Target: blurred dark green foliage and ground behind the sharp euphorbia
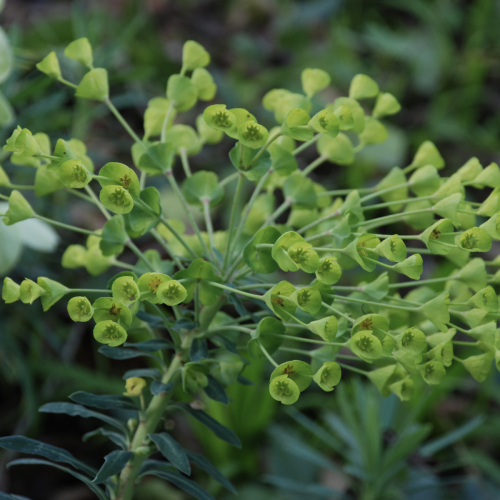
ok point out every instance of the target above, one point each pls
(440, 58)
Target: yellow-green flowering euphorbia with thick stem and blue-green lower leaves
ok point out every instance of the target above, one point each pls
(394, 339)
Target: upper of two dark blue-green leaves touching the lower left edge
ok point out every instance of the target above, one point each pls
(22, 444)
